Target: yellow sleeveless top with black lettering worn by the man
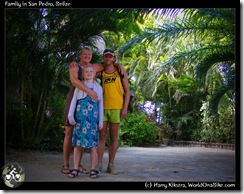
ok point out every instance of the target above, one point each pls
(112, 90)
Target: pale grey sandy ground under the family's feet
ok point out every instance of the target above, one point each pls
(136, 166)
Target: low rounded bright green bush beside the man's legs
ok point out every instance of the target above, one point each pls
(136, 129)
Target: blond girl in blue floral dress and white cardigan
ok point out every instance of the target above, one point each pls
(86, 116)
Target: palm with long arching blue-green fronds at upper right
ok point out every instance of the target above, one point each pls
(201, 39)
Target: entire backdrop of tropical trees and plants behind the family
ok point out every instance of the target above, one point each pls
(181, 65)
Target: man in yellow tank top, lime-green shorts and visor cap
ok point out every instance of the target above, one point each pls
(116, 97)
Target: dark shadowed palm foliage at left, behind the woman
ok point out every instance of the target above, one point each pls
(39, 44)
